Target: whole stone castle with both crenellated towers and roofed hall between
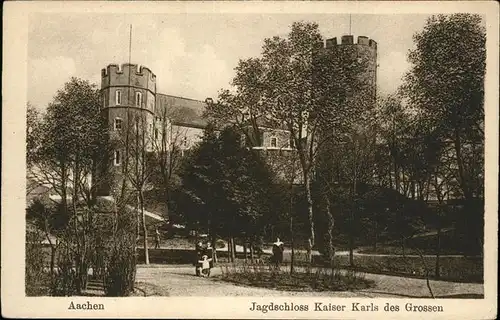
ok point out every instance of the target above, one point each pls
(130, 100)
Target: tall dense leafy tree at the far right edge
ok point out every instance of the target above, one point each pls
(446, 88)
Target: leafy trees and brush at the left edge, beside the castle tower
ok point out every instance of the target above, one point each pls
(65, 147)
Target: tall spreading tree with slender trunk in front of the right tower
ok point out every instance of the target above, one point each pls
(299, 87)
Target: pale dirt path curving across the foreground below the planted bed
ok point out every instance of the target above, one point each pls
(181, 281)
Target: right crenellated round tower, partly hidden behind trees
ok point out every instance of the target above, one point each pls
(349, 71)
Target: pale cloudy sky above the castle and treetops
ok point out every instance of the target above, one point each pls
(192, 55)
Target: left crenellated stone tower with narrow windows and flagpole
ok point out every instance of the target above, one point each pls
(128, 104)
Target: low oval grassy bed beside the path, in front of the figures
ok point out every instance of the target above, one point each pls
(303, 279)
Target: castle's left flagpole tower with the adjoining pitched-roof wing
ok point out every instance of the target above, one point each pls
(137, 114)
